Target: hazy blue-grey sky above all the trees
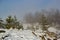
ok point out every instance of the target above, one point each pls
(21, 7)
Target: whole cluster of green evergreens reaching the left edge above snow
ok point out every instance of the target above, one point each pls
(10, 22)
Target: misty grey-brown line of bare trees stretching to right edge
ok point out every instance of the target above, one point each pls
(44, 17)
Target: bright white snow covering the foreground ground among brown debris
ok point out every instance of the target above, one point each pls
(14, 34)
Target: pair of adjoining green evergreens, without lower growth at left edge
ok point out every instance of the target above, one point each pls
(12, 22)
